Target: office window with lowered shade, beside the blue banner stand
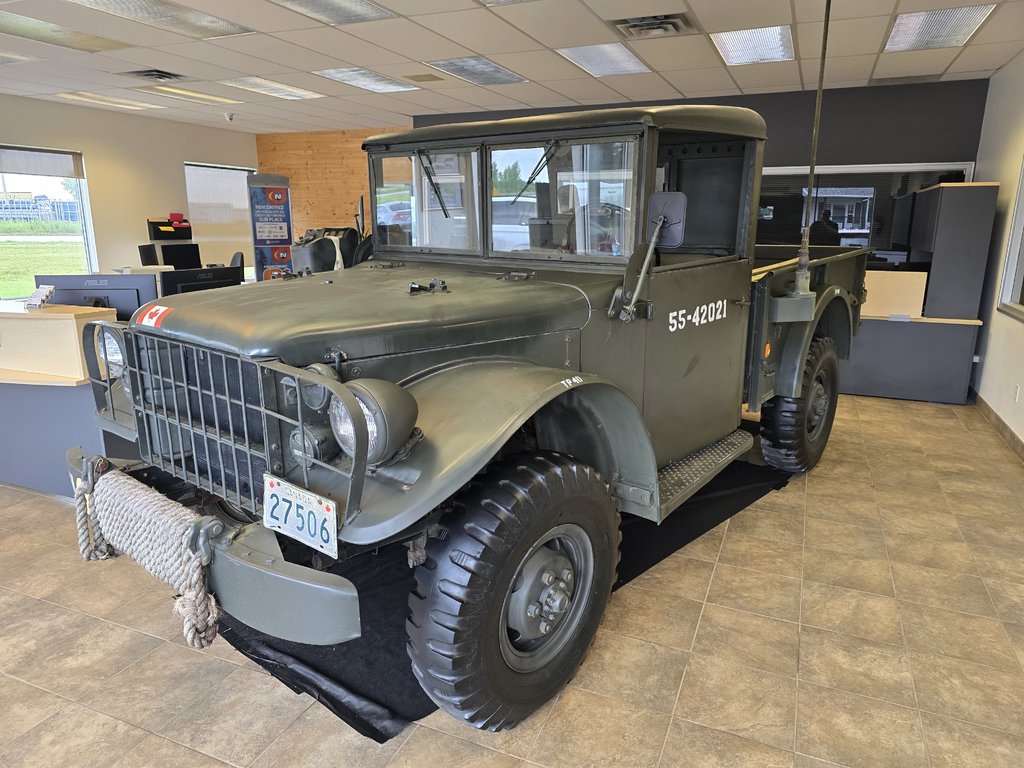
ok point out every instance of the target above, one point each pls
(219, 210)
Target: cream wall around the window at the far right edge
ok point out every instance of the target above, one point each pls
(1000, 157)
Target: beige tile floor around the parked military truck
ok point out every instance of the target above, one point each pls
(870, 615)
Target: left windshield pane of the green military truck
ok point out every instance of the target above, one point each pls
(430, 200)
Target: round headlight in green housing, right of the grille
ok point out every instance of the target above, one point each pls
(391, 413)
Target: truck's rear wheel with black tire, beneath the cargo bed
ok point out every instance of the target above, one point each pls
(795, 431)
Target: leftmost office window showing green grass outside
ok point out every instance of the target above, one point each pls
(45, 218)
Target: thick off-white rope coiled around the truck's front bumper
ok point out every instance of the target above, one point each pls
(118, 515)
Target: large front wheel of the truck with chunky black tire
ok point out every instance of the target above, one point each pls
(507, 605)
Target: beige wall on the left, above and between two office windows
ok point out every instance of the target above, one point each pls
(134, 164)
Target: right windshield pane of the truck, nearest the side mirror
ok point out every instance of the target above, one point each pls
(565, 198)
